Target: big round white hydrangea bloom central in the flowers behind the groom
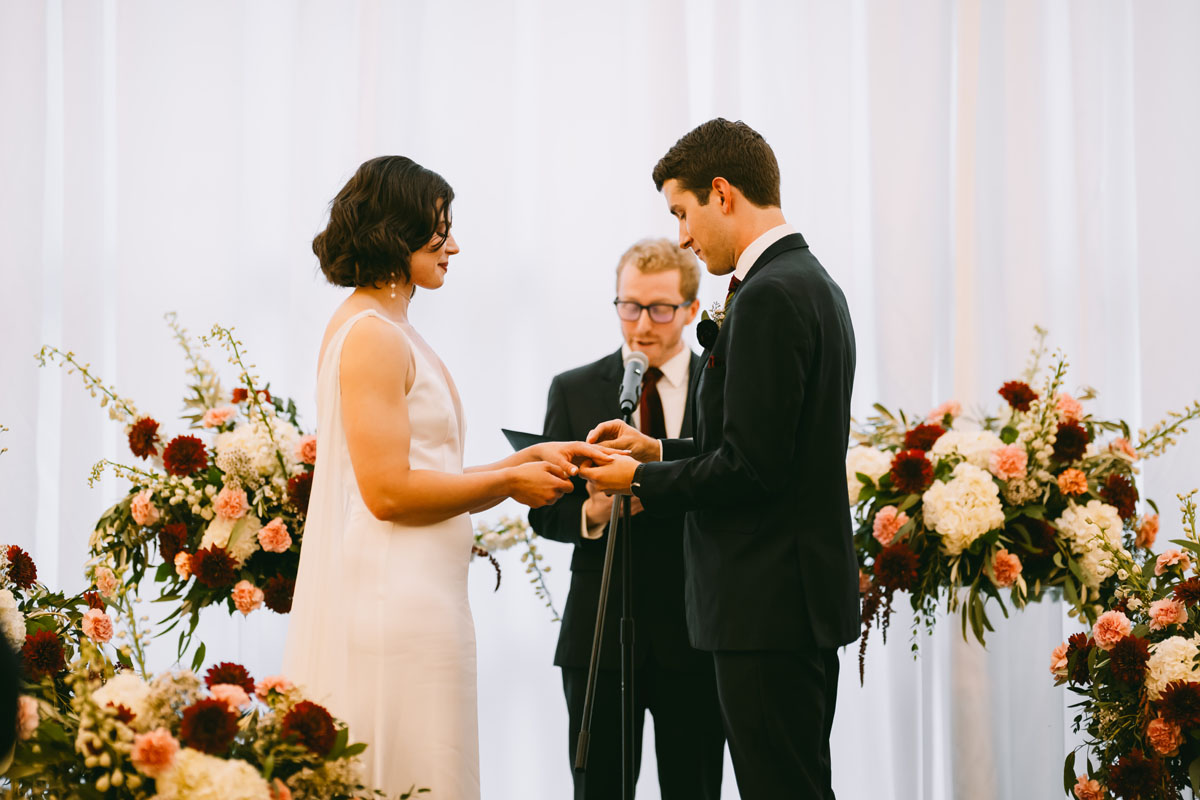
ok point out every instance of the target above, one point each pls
(964, 509)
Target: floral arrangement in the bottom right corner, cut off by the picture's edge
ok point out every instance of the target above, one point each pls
(1137, 673)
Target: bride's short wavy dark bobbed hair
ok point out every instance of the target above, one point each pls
(391, 209)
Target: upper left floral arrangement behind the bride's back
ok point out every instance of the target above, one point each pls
(215, 515)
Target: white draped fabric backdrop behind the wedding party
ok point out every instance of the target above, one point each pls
(965, 170)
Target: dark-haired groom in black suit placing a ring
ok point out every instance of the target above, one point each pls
(772, 581)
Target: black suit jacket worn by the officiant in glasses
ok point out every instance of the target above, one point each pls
(580, 400)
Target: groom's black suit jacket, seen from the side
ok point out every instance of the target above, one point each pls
(769, 551)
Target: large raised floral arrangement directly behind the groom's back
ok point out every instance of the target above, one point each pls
(1039, 497)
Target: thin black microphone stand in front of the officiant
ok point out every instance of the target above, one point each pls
(621, 520)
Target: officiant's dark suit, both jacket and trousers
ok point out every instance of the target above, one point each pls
(673, 681)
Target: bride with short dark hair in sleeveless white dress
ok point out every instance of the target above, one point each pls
(381, 627)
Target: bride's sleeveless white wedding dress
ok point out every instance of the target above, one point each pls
(381, 628)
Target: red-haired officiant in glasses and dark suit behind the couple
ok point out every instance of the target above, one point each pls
(657, 285)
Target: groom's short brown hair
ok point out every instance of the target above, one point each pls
(723, 149)
